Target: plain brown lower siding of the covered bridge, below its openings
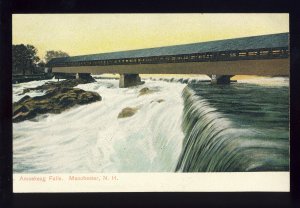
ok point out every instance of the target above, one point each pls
(274, 67)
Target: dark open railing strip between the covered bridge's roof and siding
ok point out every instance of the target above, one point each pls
(263, 53)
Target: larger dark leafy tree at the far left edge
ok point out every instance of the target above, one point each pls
(24, 58)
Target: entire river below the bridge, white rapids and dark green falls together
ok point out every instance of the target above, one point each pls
(197, 128)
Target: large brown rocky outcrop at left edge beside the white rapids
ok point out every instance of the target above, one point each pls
(56, 100)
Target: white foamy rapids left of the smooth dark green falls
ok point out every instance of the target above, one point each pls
(90, 138)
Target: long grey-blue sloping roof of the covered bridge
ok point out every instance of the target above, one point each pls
(280, 40)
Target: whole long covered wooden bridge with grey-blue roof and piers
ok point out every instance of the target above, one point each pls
(221, 59)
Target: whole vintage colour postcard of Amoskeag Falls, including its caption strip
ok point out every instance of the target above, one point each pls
(140, 102)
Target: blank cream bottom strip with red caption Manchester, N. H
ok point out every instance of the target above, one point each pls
(153, 182)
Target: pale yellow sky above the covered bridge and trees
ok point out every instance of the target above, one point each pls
(80, 34)
